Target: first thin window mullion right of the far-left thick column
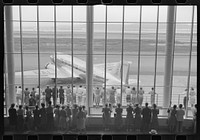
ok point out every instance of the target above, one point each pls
(21, 47)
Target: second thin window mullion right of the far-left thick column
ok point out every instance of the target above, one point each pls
(38, 43)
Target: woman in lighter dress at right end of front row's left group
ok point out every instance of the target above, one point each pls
(80, 120)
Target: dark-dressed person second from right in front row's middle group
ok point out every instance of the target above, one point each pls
(146, 117)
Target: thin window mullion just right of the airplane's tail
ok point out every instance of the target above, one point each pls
(138, 76)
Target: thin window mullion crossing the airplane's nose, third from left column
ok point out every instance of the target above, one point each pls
(55, 58)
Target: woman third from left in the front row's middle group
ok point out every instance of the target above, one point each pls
(129, 117)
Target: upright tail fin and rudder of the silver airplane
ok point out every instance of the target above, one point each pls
(118, 69)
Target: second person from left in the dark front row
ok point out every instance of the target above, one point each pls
(20, 118)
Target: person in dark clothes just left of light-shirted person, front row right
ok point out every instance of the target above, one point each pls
(172, 119)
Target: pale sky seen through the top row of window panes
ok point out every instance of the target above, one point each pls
(132, 13)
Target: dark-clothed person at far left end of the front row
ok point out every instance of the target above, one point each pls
(12, 117)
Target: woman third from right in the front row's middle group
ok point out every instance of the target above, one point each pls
(138, 118)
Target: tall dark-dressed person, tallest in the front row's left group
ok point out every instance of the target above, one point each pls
(50, 119)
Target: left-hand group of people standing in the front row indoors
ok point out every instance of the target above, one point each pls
(64, 118)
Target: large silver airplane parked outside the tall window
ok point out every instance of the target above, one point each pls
(64, 71)
